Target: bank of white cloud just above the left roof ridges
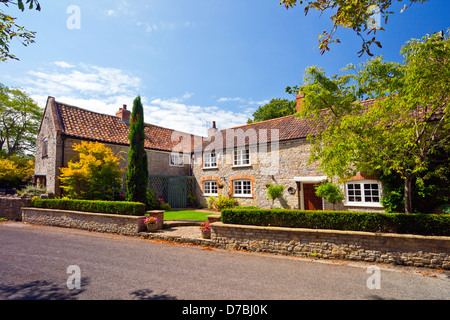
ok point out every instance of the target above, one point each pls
(105, 90)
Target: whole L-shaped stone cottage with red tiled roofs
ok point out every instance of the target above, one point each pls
(239, 162)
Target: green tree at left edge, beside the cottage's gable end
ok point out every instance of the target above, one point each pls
(19, 121)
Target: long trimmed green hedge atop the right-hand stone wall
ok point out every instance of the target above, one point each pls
(419, 224)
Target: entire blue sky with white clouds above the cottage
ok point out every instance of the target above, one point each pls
(192, 62)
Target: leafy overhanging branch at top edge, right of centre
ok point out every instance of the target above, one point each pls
(354, 14)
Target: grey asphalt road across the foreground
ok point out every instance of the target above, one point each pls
(43, 262)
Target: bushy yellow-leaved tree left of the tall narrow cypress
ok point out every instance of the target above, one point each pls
(95, 175)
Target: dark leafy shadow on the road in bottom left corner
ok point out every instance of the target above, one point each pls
(41, 290)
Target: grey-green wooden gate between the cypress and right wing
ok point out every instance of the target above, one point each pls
(172, 189)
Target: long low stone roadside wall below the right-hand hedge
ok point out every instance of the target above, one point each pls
(410, 250)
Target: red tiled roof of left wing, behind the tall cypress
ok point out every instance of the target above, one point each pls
(84, 124)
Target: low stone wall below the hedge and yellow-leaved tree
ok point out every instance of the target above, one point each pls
(110, 223)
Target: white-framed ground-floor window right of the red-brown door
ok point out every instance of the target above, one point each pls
(364, 193)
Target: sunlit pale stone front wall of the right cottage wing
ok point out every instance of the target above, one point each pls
(291, 161)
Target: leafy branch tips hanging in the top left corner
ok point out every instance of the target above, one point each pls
(9, 29)
